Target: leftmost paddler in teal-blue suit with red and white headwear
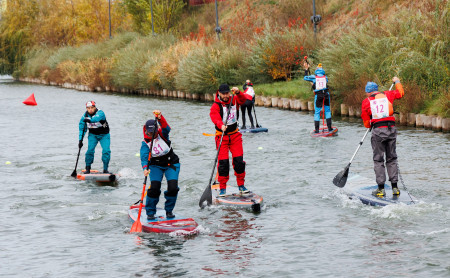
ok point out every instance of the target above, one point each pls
(95, 121)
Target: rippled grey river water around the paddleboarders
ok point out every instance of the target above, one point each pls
(55, 226)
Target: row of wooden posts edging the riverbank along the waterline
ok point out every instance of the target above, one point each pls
(434, 123)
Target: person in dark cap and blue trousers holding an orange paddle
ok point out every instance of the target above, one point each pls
(163, 161)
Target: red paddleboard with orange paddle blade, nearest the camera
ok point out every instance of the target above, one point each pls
(161, 224)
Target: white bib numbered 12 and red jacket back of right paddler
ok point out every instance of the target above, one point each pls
(381, 108)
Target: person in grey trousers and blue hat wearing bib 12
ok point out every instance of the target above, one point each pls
(377, 112)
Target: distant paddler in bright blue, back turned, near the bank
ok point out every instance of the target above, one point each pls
(322, 96)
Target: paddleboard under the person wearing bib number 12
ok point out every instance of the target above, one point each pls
(361, 188)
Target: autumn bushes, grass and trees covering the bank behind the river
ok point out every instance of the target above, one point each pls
(264, 41)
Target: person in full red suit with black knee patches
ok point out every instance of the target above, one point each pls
(232, 138)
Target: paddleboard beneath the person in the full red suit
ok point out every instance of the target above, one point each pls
(234, 198)
